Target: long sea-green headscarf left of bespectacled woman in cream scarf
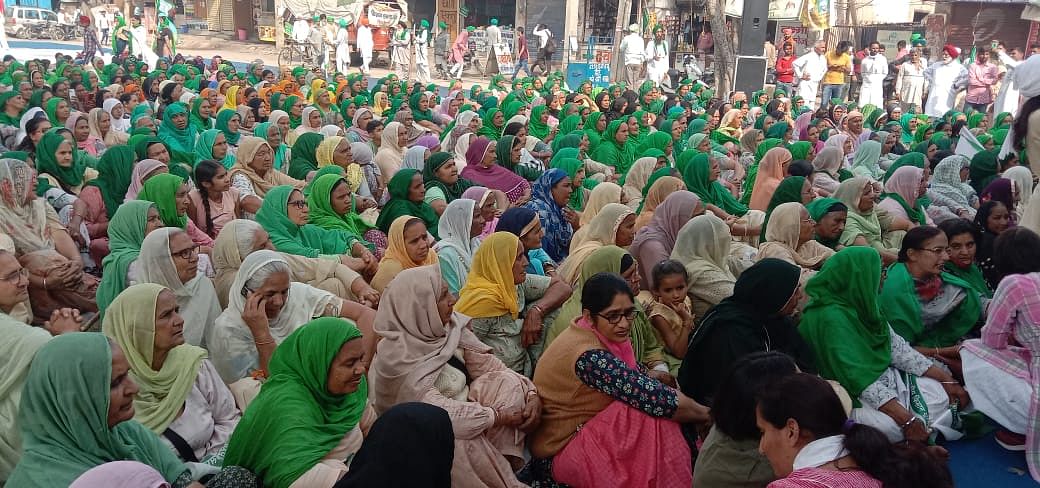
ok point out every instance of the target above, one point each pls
(126, 233)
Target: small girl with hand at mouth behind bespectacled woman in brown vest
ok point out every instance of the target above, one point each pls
(670, 312)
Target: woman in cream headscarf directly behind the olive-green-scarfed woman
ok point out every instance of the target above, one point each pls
(614, 226)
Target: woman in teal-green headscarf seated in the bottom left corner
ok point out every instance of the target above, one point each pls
(67, 440)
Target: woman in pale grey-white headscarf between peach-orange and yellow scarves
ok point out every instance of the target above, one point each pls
(460, 228)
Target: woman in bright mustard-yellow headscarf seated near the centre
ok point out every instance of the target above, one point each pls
(501, 299)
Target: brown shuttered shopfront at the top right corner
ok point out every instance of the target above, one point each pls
(986, 22)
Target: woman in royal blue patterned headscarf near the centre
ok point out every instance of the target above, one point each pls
(552, 193)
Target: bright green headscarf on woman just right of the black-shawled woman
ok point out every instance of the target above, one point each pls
(843, 323)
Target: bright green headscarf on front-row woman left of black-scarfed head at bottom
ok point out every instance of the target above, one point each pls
(295, 412)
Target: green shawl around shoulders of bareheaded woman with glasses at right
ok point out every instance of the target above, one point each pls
(902, 310)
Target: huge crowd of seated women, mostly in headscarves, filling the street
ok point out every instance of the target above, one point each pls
(290, 281)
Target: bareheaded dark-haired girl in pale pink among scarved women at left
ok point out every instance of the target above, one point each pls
(214, 202)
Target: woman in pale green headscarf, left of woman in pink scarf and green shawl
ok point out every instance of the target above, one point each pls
(867, 226)
